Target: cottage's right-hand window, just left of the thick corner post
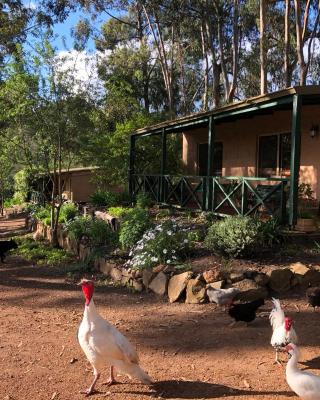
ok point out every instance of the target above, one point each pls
(274, 155)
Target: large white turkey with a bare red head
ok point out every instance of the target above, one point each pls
(104, 345)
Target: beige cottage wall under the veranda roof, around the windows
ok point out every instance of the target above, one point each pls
(240, 140)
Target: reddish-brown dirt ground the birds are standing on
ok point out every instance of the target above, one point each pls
(189, 350)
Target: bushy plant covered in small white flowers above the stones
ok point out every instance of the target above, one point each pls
(167, 243)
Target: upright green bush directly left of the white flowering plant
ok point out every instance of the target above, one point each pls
(135, 222)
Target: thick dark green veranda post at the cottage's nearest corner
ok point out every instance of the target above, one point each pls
(295, 159)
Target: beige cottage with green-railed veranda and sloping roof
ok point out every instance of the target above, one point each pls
(245, 158)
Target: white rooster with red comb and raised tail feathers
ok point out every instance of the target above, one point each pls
(283, 331)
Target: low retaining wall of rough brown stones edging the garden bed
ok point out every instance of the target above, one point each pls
(165, 281)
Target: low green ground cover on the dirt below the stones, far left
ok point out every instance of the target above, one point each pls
(42, 253)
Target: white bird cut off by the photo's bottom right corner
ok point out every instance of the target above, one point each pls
(305, 384)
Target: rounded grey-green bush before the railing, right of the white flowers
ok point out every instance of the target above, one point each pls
(234, 236)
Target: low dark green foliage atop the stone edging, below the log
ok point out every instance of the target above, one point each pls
(97, 231)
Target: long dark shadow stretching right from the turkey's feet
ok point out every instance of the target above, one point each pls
(202, 390)
